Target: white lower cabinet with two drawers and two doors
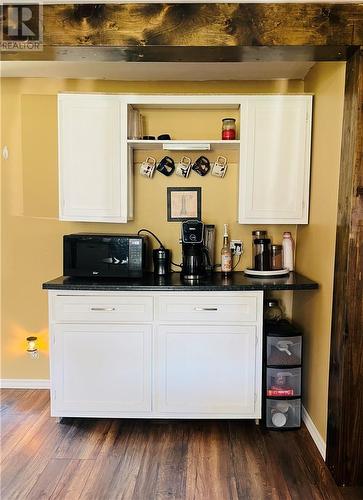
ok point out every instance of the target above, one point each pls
(110, 361)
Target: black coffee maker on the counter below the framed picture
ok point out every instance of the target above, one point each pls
(195, 255)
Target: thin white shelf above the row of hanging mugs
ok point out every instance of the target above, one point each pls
(189, 145)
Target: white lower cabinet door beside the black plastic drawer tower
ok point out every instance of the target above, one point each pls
(207, 371)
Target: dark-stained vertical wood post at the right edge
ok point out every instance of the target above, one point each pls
(345, 409)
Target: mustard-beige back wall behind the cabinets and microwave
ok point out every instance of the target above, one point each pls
(32, 235)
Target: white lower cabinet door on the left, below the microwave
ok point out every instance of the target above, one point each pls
(100, 369)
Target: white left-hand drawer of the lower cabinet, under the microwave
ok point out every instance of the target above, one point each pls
(101, 309)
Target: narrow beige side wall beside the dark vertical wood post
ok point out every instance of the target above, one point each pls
(316, 241)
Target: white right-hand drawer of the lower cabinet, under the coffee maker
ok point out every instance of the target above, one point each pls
(212, 307)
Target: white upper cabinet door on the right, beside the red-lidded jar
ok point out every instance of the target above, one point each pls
(275, 159)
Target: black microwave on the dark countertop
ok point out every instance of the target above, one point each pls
(104, 255)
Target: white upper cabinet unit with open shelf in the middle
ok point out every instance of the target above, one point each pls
(96, 158)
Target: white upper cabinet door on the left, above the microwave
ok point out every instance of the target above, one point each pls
(93, 169)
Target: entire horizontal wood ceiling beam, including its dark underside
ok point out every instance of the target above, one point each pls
(197, 32)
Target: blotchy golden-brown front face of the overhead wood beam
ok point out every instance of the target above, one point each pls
(186, 25)
